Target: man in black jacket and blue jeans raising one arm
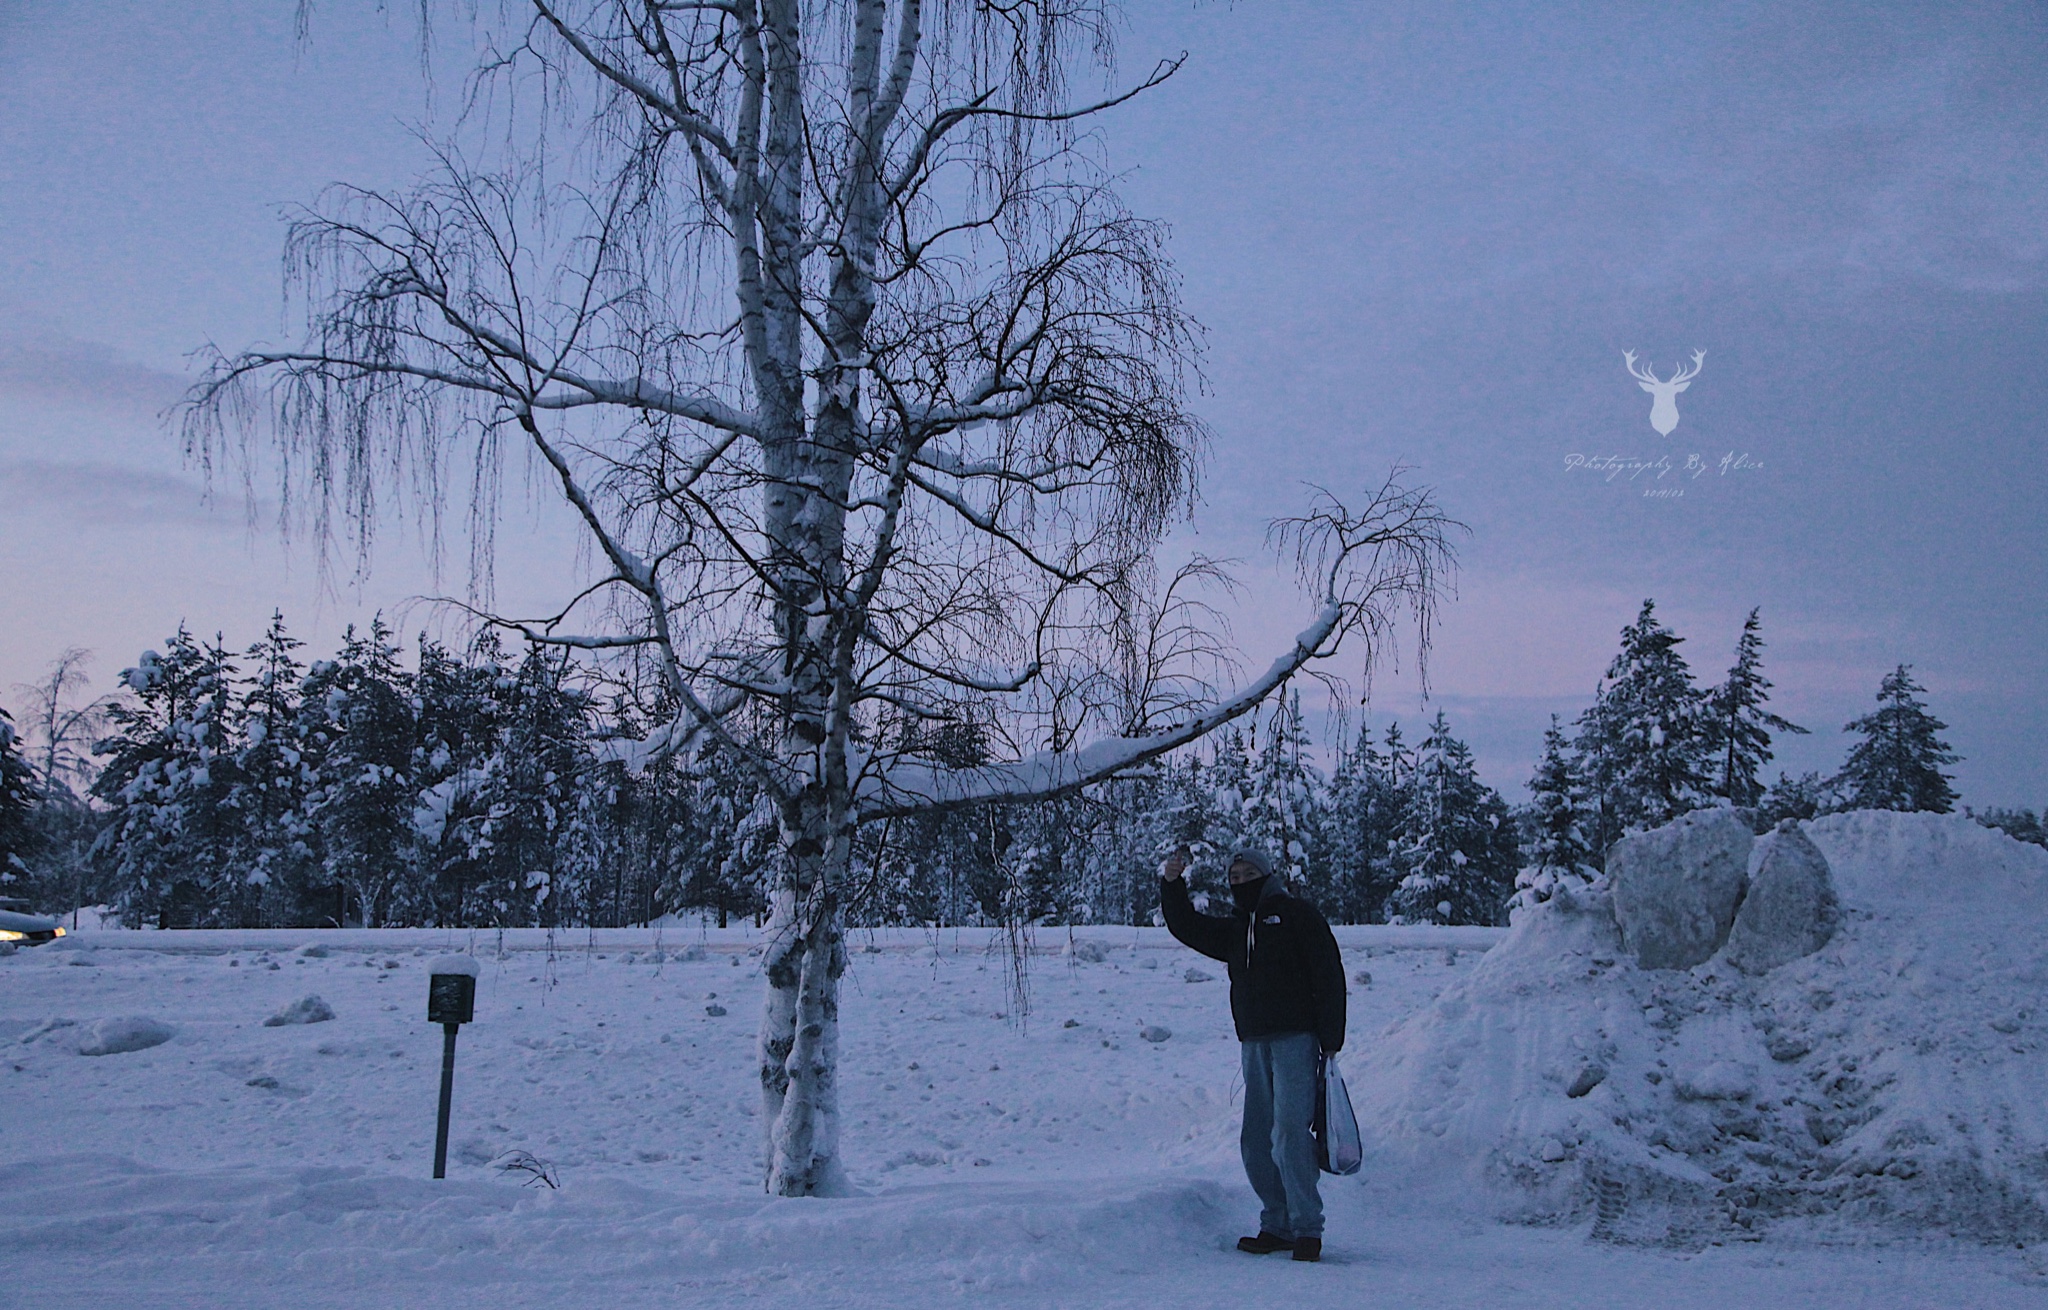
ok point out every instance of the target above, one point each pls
(1287, 1000)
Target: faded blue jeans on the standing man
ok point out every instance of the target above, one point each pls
(1279, 1141)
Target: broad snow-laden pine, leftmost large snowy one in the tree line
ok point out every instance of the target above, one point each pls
(169, 787)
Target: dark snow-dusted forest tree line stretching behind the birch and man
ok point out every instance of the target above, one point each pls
(486, 787)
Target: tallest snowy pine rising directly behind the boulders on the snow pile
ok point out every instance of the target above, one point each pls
(1641, 744)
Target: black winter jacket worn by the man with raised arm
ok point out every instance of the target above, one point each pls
(1285, 967)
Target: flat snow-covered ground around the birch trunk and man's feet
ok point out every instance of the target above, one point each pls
(1043, 1162)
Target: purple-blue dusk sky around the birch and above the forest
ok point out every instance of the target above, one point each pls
(1416, 234)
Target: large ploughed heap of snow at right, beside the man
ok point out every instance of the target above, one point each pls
(1889, 1078)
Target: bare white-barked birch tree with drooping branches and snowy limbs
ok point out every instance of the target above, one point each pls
(867, 392)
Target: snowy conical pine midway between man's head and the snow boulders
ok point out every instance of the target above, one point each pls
(1457, 844)
